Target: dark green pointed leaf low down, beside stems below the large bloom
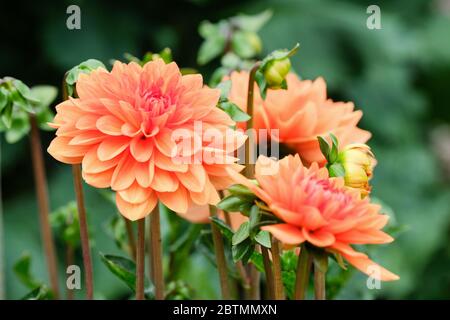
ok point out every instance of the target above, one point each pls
(125, 270)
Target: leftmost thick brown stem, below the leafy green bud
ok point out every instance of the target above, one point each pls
(42, 199)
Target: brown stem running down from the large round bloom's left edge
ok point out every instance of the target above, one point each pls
(84, 233)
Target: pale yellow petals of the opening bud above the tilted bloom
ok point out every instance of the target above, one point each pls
(358, 162)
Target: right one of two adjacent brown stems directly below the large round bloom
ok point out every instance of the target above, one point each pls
(156, 251)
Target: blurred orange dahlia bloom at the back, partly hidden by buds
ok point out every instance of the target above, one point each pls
(301, 113)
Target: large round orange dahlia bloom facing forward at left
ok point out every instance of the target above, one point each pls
(129, 129)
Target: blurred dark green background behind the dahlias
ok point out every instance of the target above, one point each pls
(399, 76)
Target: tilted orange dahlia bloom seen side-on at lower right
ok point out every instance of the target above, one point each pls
(319, 210)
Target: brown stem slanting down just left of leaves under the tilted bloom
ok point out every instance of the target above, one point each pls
(220, 257)
